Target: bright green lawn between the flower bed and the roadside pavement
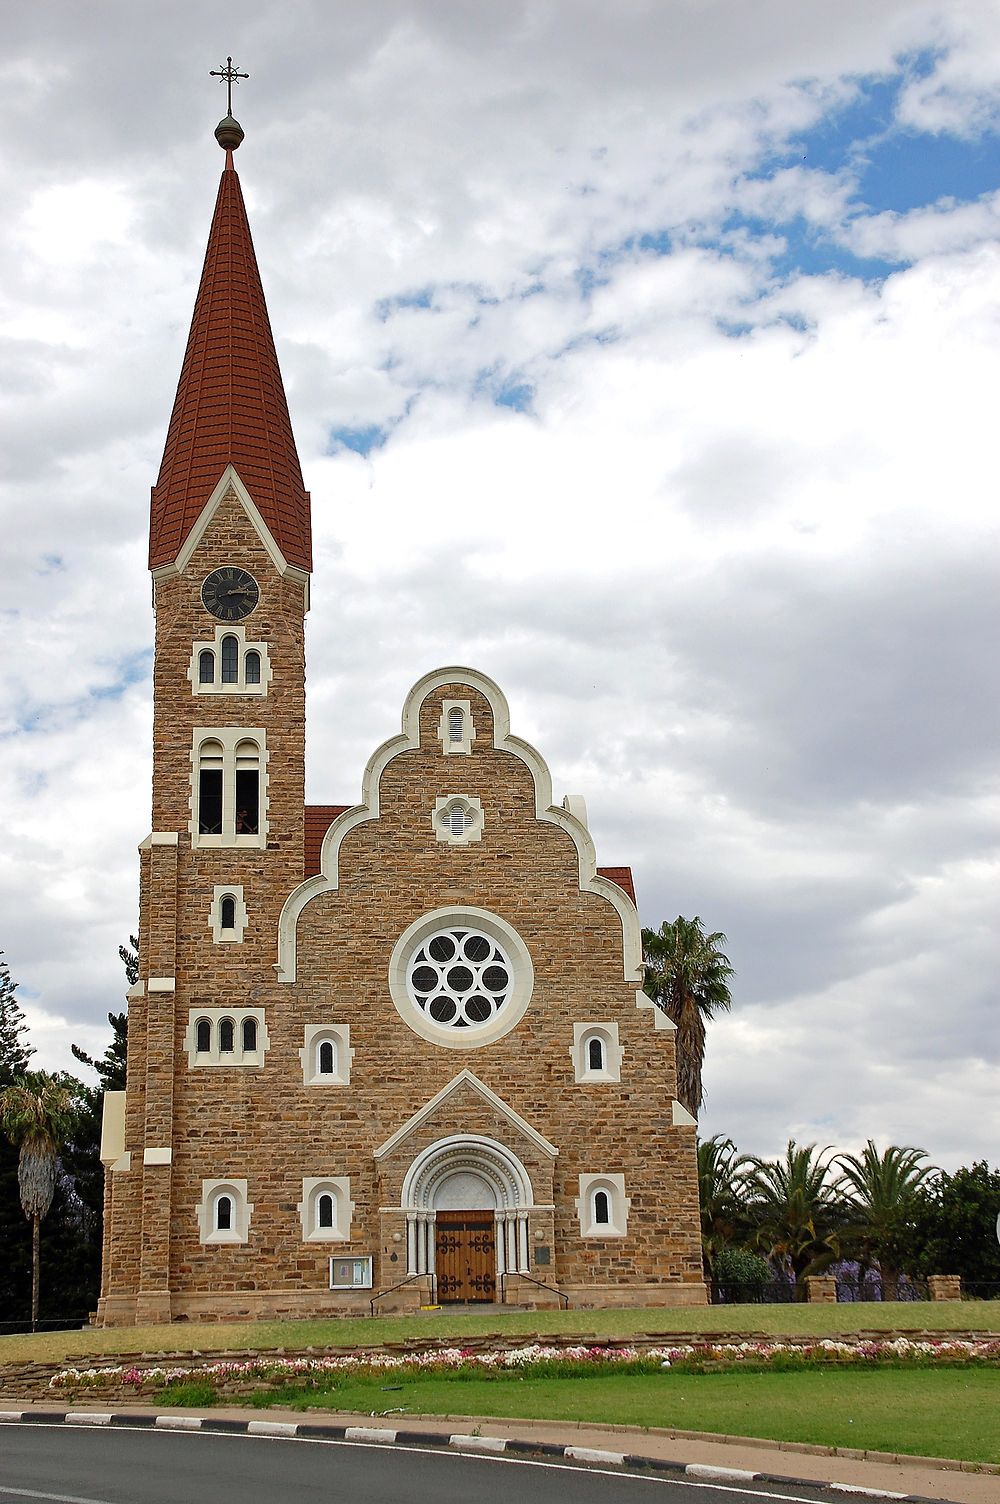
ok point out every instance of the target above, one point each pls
(927, 1413)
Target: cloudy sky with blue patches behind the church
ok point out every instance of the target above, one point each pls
(644, 357)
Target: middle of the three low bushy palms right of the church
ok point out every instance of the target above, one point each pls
(796, 1210)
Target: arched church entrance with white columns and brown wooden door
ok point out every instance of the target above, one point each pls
(467, 1204)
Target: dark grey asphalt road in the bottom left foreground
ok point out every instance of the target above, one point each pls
(68, 1466)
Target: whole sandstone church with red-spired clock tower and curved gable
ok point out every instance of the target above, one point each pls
(395, 1051)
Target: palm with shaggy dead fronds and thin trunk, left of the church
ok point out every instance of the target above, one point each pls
(37, 1114)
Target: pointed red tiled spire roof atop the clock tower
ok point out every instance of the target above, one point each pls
(231, 402)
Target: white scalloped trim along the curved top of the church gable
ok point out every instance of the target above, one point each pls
(329, 878)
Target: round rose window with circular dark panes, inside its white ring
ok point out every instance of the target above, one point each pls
(459, 978)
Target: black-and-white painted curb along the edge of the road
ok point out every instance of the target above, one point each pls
(470, 1445)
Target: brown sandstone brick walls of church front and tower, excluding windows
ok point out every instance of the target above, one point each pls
(273, 1130)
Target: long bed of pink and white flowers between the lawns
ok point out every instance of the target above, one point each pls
(234, 1377)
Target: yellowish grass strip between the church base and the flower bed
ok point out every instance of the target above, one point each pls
(823, 1321)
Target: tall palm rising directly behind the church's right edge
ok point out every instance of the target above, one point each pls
(688, 977)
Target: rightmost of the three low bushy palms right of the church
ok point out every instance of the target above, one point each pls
(879, 1193)
